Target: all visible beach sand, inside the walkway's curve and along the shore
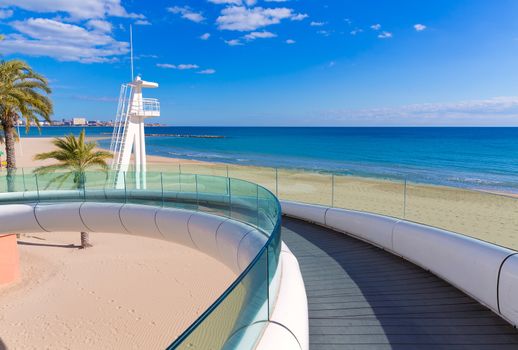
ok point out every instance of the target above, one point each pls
(68, 299)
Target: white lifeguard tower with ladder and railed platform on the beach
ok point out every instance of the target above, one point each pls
(128, 138)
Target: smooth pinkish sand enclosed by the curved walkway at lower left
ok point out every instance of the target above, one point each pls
(126, 292)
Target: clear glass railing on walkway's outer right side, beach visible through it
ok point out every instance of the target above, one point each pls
(481, 214)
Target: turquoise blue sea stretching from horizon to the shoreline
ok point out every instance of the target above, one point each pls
(482, 158)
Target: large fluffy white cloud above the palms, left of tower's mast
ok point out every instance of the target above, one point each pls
(61, 41)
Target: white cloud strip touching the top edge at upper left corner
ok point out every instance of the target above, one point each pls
(79, 9)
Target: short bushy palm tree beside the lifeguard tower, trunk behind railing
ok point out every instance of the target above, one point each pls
(75, 157)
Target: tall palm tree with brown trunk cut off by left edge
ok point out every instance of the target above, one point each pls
(23, 95)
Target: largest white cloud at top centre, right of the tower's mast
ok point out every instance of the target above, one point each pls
(244, 19)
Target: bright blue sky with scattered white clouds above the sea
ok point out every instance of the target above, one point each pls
(291, 62)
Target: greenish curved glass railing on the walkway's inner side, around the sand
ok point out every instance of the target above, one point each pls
(237, 319)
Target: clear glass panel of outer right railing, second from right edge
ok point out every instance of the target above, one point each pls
(379, 196)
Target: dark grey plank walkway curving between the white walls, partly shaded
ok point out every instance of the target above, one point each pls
(361, 297)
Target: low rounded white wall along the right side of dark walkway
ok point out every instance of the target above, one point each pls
(486, 272)
